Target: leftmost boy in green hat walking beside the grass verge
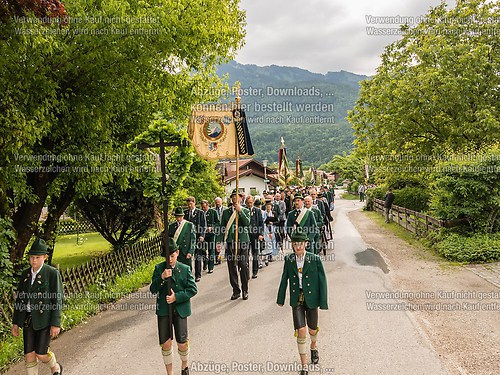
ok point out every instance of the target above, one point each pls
(38, 309)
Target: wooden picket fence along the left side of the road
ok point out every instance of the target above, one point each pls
(79, 278)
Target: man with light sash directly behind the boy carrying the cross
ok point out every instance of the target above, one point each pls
(184, 235)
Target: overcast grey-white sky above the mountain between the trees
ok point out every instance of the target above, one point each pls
(323, 35)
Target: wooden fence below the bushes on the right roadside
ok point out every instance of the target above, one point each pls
(415, 221)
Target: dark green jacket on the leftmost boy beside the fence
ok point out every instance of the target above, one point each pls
(45, 296)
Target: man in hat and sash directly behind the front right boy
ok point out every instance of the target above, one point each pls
(301, 217)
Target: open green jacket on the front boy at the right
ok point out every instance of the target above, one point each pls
(314, 284)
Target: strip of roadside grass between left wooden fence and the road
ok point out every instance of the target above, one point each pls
(79, 307)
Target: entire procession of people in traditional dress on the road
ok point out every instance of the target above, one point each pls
(292, 225)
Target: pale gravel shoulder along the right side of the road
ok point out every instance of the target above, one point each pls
(456, 308)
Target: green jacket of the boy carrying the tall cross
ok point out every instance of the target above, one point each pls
(183, 285)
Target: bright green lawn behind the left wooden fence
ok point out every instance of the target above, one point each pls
(68, 254)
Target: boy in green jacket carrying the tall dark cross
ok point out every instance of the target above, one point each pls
(183, 288)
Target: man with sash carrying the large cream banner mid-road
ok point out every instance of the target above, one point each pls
(236, 259)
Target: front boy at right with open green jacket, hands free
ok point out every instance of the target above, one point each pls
(305, 275)
